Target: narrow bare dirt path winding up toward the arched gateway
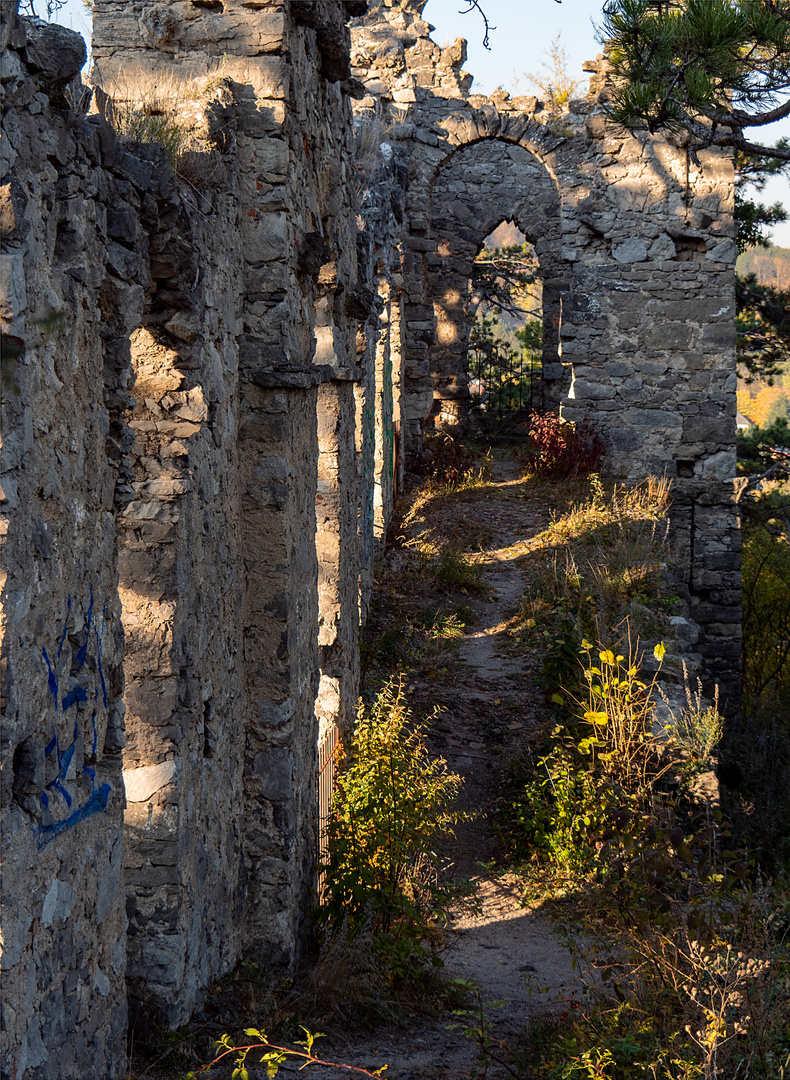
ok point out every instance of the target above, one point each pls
(491, 703)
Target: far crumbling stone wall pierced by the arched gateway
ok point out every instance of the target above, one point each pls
(637, 248)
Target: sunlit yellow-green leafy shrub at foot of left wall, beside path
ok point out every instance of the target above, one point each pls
(392, 809)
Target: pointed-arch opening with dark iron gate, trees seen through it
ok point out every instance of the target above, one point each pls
(505, 355)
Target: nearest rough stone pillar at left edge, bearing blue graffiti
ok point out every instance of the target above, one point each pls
(62, 389)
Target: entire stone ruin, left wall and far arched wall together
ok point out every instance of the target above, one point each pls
(217, 395)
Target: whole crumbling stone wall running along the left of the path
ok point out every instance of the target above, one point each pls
(237, 317)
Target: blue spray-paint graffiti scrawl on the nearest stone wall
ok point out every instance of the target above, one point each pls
(73, 698)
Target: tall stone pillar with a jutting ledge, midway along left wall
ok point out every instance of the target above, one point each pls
(299, 252)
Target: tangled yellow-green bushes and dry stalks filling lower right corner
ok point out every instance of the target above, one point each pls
(686, 960)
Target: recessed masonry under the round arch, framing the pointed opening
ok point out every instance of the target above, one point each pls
(479, 186)
